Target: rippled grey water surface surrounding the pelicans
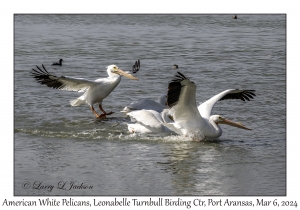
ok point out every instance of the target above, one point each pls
(56, 144)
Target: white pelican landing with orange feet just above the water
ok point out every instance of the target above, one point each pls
(94, 91)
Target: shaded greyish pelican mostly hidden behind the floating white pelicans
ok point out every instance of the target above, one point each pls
(145, 103)
